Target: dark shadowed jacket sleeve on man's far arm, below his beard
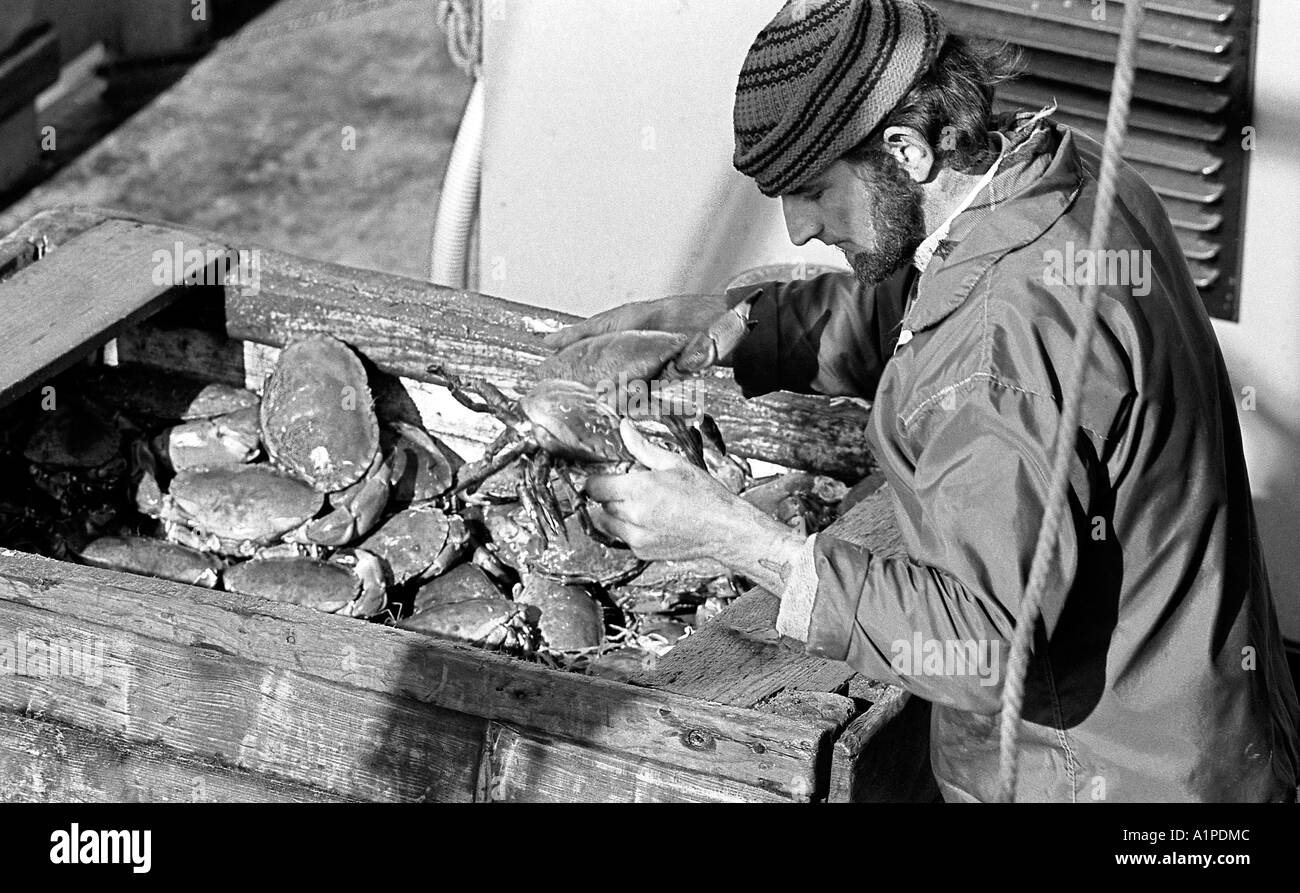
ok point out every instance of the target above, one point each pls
(824, 336)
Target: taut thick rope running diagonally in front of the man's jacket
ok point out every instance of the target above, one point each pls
(1045, 553)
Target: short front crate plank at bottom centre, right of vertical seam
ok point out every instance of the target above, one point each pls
(523, 766)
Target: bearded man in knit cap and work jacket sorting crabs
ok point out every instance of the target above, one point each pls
(1159, 670)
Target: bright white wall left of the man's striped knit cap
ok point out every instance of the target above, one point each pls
(608, 168)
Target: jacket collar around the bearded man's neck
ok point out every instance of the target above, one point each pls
(1000, 227)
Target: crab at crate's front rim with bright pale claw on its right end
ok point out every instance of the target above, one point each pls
(331, 587)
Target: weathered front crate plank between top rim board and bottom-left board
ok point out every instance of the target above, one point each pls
(209, 703)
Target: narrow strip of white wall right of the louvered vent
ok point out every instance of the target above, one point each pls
(1263, 349)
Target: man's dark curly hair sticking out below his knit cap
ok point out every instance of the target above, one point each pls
(956, 93)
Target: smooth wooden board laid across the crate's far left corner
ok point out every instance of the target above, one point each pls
(73, 301)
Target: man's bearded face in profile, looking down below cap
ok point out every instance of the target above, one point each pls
(872, 211)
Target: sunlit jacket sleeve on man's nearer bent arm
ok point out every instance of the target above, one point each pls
(982, 479)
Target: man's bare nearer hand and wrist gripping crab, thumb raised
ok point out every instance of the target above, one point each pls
(675, 511)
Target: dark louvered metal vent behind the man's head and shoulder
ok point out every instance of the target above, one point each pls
(1191, 105)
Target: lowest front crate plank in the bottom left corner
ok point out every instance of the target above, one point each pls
(53, 764)
